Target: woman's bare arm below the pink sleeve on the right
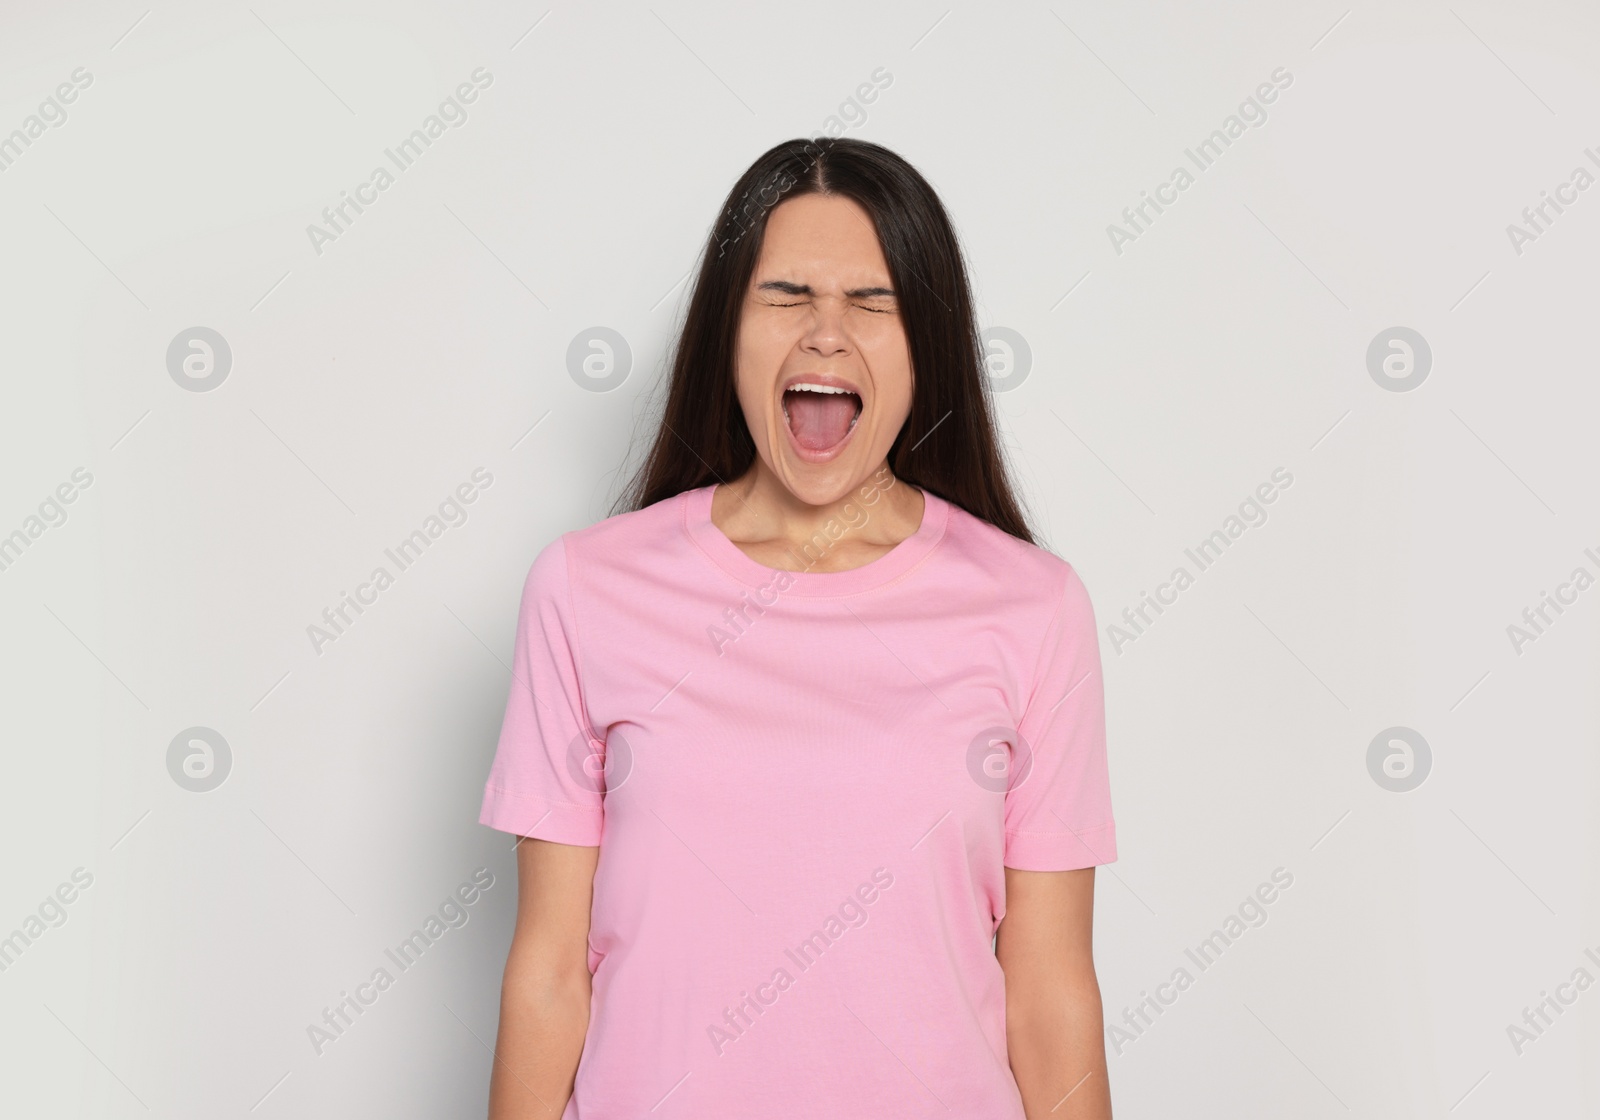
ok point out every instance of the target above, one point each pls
(1052, 999)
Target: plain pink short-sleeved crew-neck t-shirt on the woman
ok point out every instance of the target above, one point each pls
(806, 790)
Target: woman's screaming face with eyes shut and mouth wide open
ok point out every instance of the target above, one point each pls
(823, 366)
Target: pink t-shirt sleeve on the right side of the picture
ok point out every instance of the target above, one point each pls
(1058, 810)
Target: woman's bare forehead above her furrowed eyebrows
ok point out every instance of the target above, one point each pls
(818, 238)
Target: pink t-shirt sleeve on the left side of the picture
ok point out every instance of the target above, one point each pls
(545, 782)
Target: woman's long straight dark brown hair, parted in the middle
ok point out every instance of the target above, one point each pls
(948, 444)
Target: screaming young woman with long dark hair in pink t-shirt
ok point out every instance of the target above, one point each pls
(809, 745)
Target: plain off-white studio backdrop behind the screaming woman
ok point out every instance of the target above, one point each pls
(1370, 300)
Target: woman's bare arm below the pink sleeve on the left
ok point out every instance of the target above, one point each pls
(545, 996)
